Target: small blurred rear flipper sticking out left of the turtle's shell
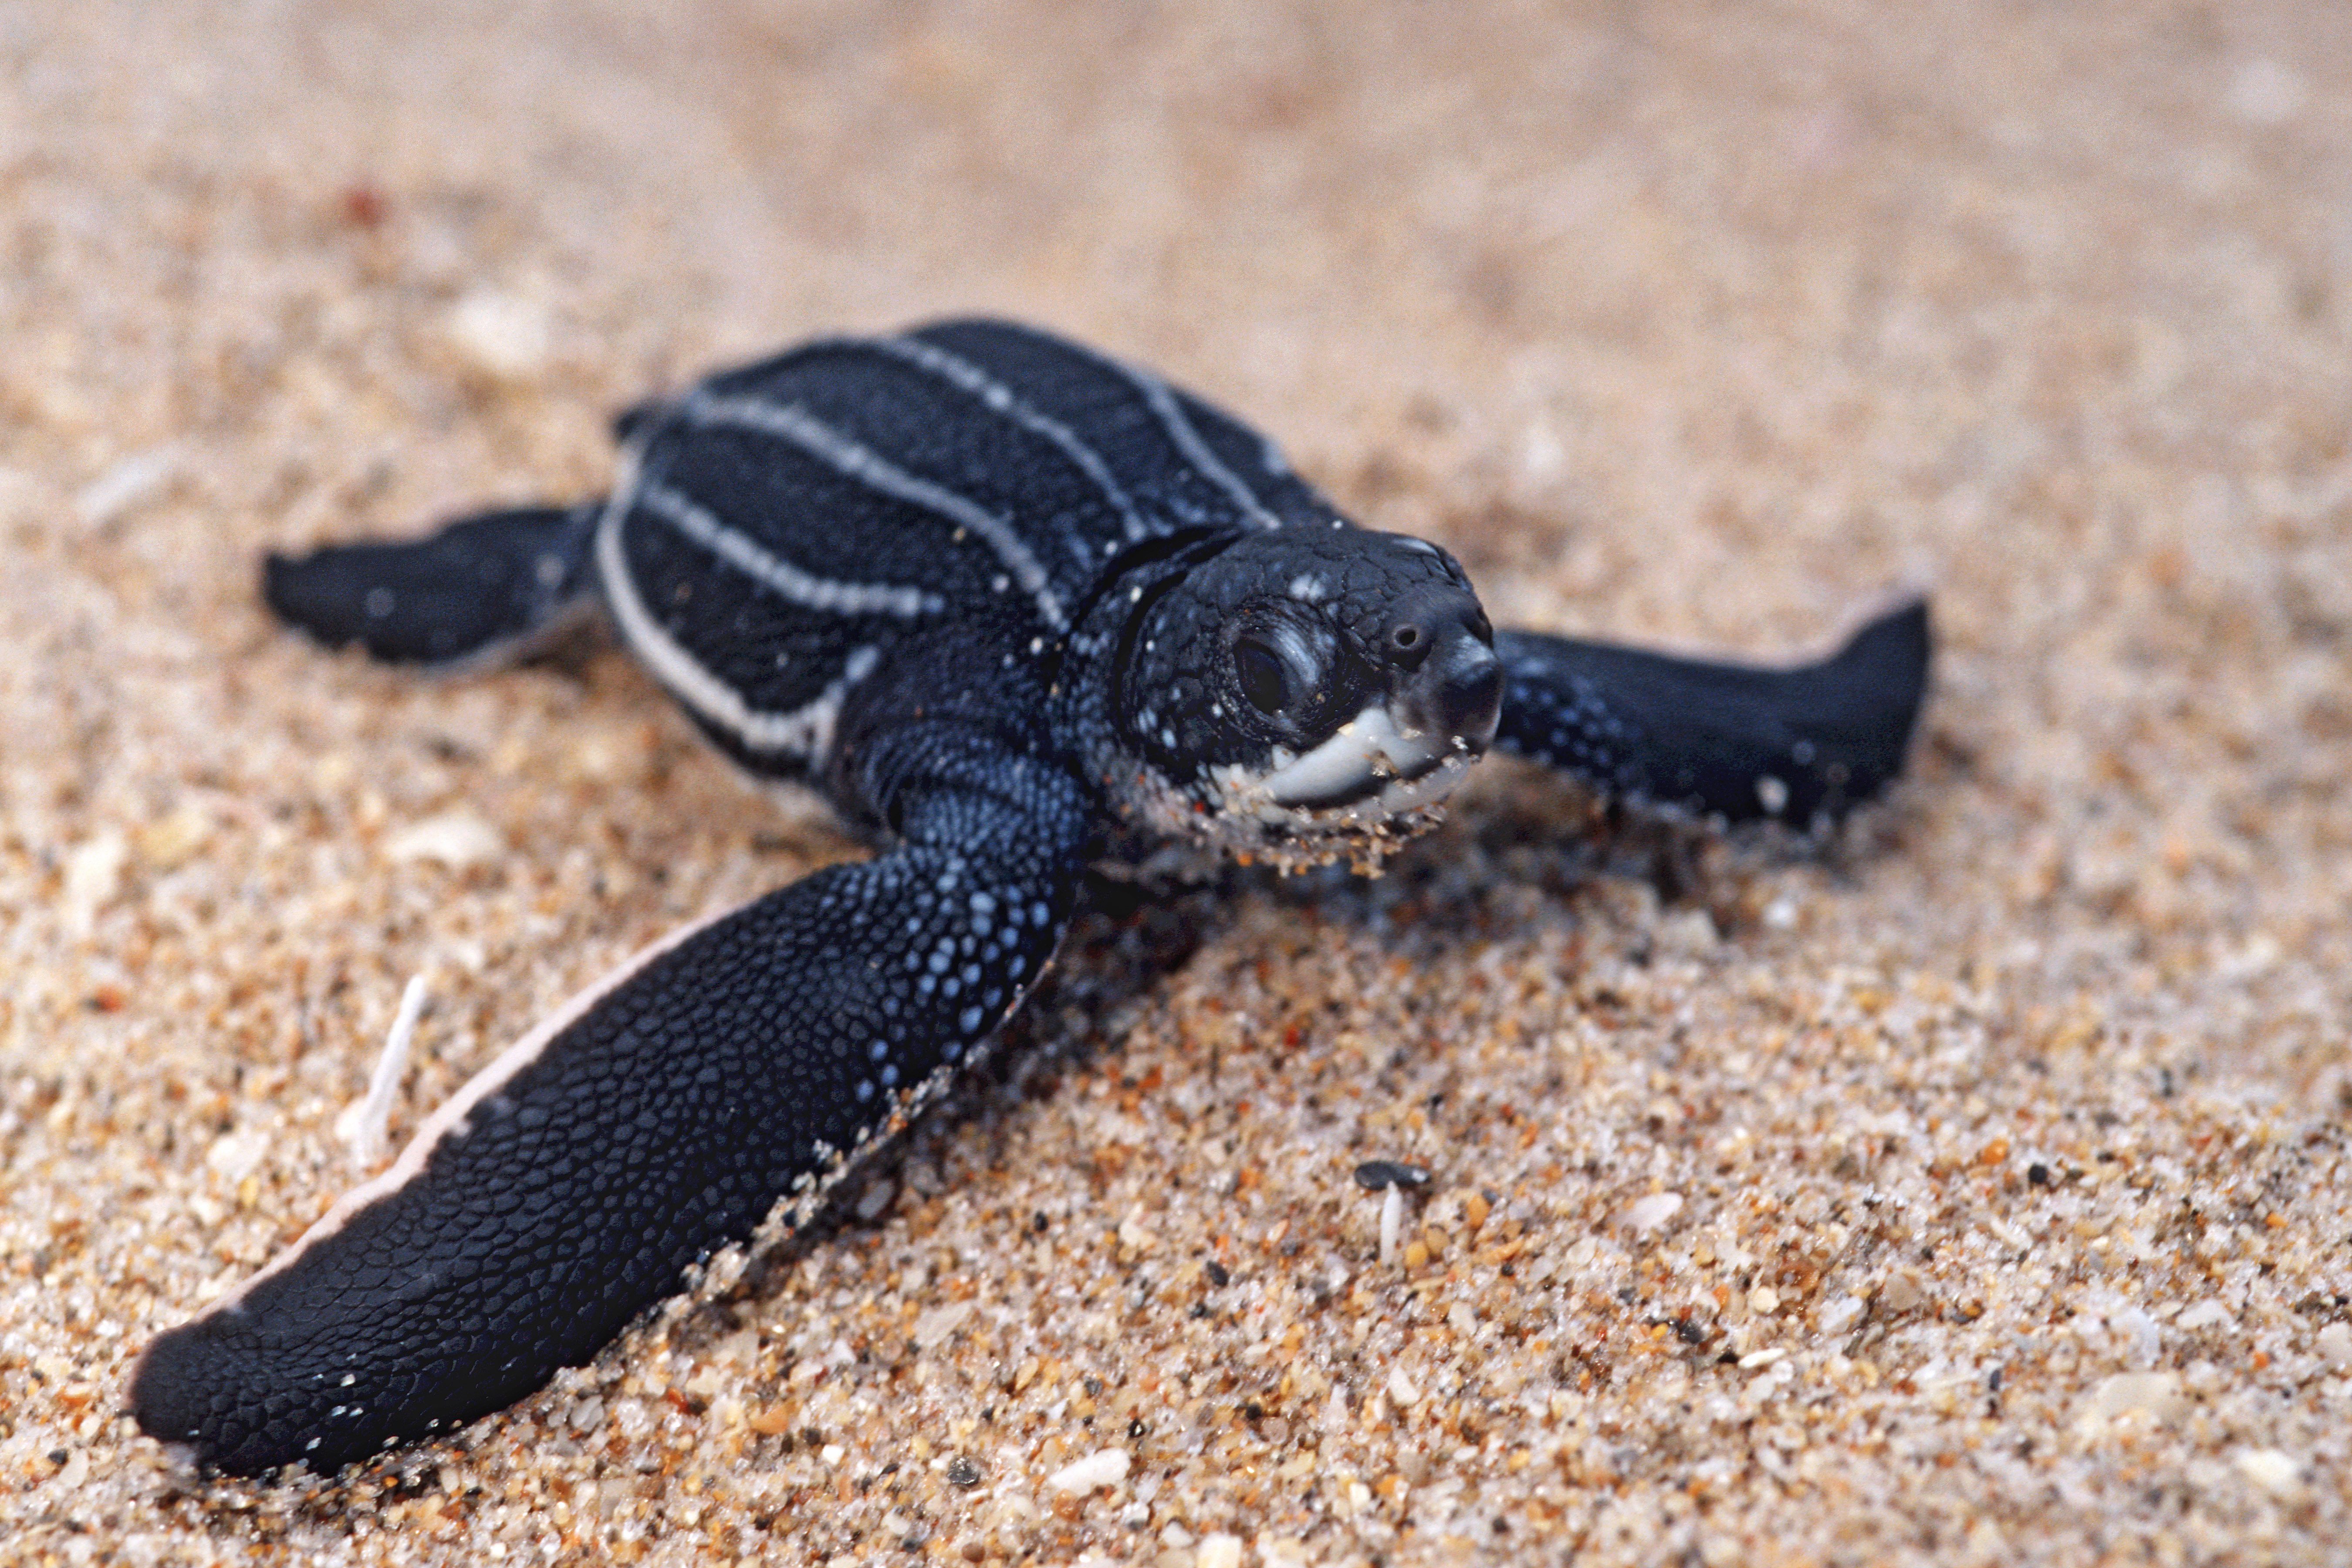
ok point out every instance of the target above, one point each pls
(481, 591)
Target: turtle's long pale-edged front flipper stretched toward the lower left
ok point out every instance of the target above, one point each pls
(653, 1123)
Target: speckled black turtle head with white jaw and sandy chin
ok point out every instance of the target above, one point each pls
(1309, 695)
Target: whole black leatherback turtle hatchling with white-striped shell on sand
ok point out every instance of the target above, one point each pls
(996, 596)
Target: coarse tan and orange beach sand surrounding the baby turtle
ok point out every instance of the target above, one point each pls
(1972, 1195)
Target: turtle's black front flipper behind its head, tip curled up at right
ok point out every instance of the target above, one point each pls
(1796, 746)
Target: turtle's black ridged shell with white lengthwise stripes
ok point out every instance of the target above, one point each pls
(784, 528)
